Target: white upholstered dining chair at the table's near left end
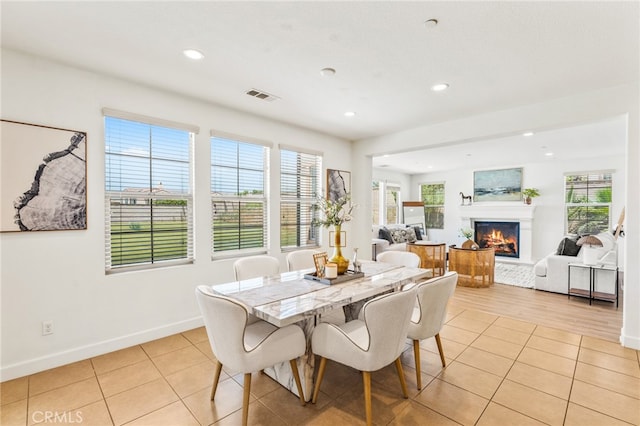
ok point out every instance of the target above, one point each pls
(245, 347)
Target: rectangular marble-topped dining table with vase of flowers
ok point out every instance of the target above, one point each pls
(297, 298)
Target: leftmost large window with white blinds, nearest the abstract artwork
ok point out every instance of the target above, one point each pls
(148, 177)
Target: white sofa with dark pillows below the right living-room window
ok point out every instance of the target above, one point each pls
(552, 271)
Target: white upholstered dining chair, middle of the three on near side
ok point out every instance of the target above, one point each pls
(369, 343)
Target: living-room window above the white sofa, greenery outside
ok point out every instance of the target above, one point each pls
(588, 202)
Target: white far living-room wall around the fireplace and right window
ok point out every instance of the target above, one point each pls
(548, 177)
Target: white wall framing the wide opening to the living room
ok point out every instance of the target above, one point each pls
(552, 114)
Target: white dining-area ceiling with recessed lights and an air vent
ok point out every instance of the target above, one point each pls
(494, 55)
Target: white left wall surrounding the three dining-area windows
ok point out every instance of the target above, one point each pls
(59, 276)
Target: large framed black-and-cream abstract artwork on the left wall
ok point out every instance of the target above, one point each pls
(43, 173)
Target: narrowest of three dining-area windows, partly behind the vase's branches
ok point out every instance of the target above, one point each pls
(299, 185)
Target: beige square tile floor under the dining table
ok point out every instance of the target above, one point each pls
(499, 371)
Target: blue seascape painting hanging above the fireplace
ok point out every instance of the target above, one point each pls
(497, 185)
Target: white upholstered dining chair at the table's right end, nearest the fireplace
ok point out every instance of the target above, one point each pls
(429, 314)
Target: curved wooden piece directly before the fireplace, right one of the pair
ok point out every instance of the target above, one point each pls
(475, 268)
